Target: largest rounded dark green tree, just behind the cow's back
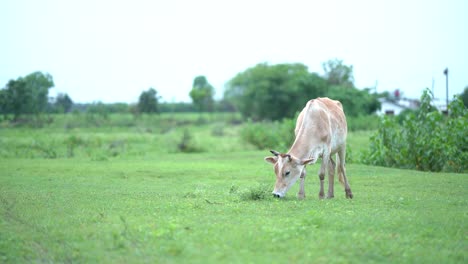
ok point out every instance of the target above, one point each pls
(273, 92)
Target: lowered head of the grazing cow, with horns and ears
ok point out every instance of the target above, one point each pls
(287, 169)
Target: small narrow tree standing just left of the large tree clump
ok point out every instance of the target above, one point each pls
(202, 94)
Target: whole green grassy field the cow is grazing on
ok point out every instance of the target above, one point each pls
(144, 201)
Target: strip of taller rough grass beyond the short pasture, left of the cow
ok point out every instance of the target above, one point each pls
(121, 135)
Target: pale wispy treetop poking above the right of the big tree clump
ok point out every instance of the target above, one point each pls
(337, 73)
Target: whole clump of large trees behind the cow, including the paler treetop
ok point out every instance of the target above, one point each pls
(275, 92)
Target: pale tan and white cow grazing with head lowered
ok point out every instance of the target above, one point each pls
(321, 131)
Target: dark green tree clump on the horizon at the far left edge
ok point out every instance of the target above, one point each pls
(26, 95)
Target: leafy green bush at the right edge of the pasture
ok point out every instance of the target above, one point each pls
(425, 141)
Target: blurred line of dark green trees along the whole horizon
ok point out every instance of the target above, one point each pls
(262, 92)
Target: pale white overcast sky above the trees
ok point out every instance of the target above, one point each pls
(111, 51)
